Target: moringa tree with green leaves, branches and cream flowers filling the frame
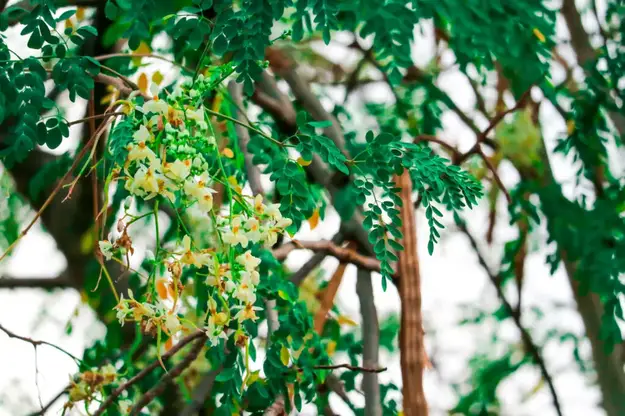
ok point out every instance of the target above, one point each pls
(213, 129)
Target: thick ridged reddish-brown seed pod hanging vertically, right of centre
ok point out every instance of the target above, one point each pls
(411, 346)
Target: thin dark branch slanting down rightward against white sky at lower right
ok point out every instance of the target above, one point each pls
(525, 335)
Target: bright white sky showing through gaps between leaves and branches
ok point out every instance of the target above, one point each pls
(451, 278)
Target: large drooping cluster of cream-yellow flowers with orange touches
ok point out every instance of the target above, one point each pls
(173, 155)
